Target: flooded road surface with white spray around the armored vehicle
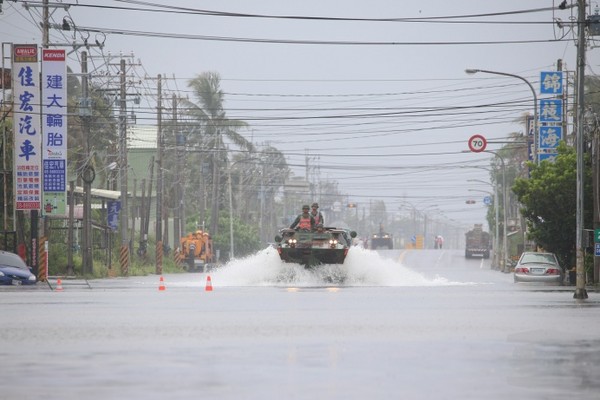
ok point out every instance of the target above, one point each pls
(391, 324)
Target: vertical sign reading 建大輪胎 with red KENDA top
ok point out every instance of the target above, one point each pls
(54, 128)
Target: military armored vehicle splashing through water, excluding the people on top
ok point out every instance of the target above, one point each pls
(314, 248)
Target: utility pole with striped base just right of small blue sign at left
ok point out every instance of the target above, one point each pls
(124, 254)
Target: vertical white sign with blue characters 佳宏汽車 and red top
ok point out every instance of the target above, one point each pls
(28, 135)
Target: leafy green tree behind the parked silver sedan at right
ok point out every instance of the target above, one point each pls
(549, 202)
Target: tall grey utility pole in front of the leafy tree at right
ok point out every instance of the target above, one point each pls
(580, 291)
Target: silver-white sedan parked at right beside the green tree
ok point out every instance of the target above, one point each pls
(538, 267)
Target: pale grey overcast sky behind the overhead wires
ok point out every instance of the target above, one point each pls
(368, 90)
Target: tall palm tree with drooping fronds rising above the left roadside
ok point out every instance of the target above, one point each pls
(214, 127)
